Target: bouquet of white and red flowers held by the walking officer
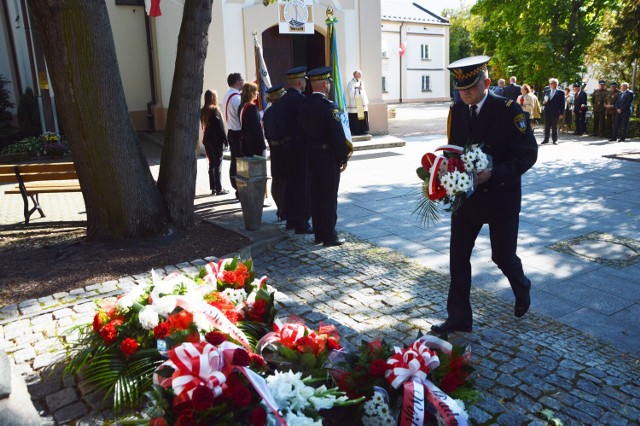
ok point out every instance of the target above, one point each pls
(449, 178)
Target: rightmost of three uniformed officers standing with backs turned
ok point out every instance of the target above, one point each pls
(321, 127)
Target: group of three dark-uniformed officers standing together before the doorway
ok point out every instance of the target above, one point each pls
(308, 150)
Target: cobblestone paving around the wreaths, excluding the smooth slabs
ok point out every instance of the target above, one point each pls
(524, 365)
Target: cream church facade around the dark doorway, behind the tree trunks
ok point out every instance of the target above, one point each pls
(146, 50)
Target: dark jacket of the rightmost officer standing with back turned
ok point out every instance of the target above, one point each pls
(321, 126)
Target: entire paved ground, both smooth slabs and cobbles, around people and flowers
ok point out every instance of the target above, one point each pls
(390, 280)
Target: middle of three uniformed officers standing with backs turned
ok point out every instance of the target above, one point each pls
(297, 197)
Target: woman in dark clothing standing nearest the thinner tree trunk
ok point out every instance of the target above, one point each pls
(214, 140)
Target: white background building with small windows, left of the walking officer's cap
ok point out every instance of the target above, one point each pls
(420, 73)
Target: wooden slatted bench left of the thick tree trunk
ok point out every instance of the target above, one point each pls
(43, 174)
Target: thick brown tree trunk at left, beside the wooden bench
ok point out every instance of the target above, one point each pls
(121, 198)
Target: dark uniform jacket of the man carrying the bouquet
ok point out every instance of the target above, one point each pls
(506, 136)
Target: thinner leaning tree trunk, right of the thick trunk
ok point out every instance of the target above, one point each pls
(177, 177)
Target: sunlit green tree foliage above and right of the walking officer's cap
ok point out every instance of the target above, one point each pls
(535, 41)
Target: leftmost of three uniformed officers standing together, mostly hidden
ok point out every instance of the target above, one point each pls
(276, 148)
